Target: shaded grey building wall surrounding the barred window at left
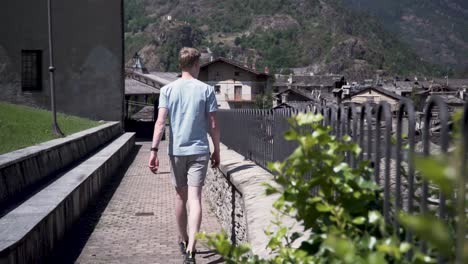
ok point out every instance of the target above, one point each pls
(88, 49)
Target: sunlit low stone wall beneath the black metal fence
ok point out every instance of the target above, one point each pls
(236, 194)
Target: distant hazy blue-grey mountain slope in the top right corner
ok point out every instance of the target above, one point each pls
(436, 29)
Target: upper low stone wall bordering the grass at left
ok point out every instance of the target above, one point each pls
(22, 170)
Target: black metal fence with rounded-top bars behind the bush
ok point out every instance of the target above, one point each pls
(258, 135)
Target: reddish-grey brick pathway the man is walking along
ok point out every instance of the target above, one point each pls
(138, 225)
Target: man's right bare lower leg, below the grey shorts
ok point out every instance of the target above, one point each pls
(194, 200)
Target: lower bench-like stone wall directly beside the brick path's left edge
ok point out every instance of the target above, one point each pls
(30, 232)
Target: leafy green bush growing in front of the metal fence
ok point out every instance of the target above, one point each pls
(339, 208)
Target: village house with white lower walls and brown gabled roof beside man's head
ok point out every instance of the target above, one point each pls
(236, 85)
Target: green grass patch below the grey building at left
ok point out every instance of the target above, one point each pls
(22, 126)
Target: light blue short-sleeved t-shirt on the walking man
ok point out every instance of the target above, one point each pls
(188, 102)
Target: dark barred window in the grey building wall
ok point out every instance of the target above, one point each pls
(31, 70)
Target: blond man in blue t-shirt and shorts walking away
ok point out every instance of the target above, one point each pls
(191, 107)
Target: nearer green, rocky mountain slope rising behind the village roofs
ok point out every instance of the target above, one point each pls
(321, 35)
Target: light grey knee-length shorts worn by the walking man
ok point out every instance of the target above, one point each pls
(189, 170)
